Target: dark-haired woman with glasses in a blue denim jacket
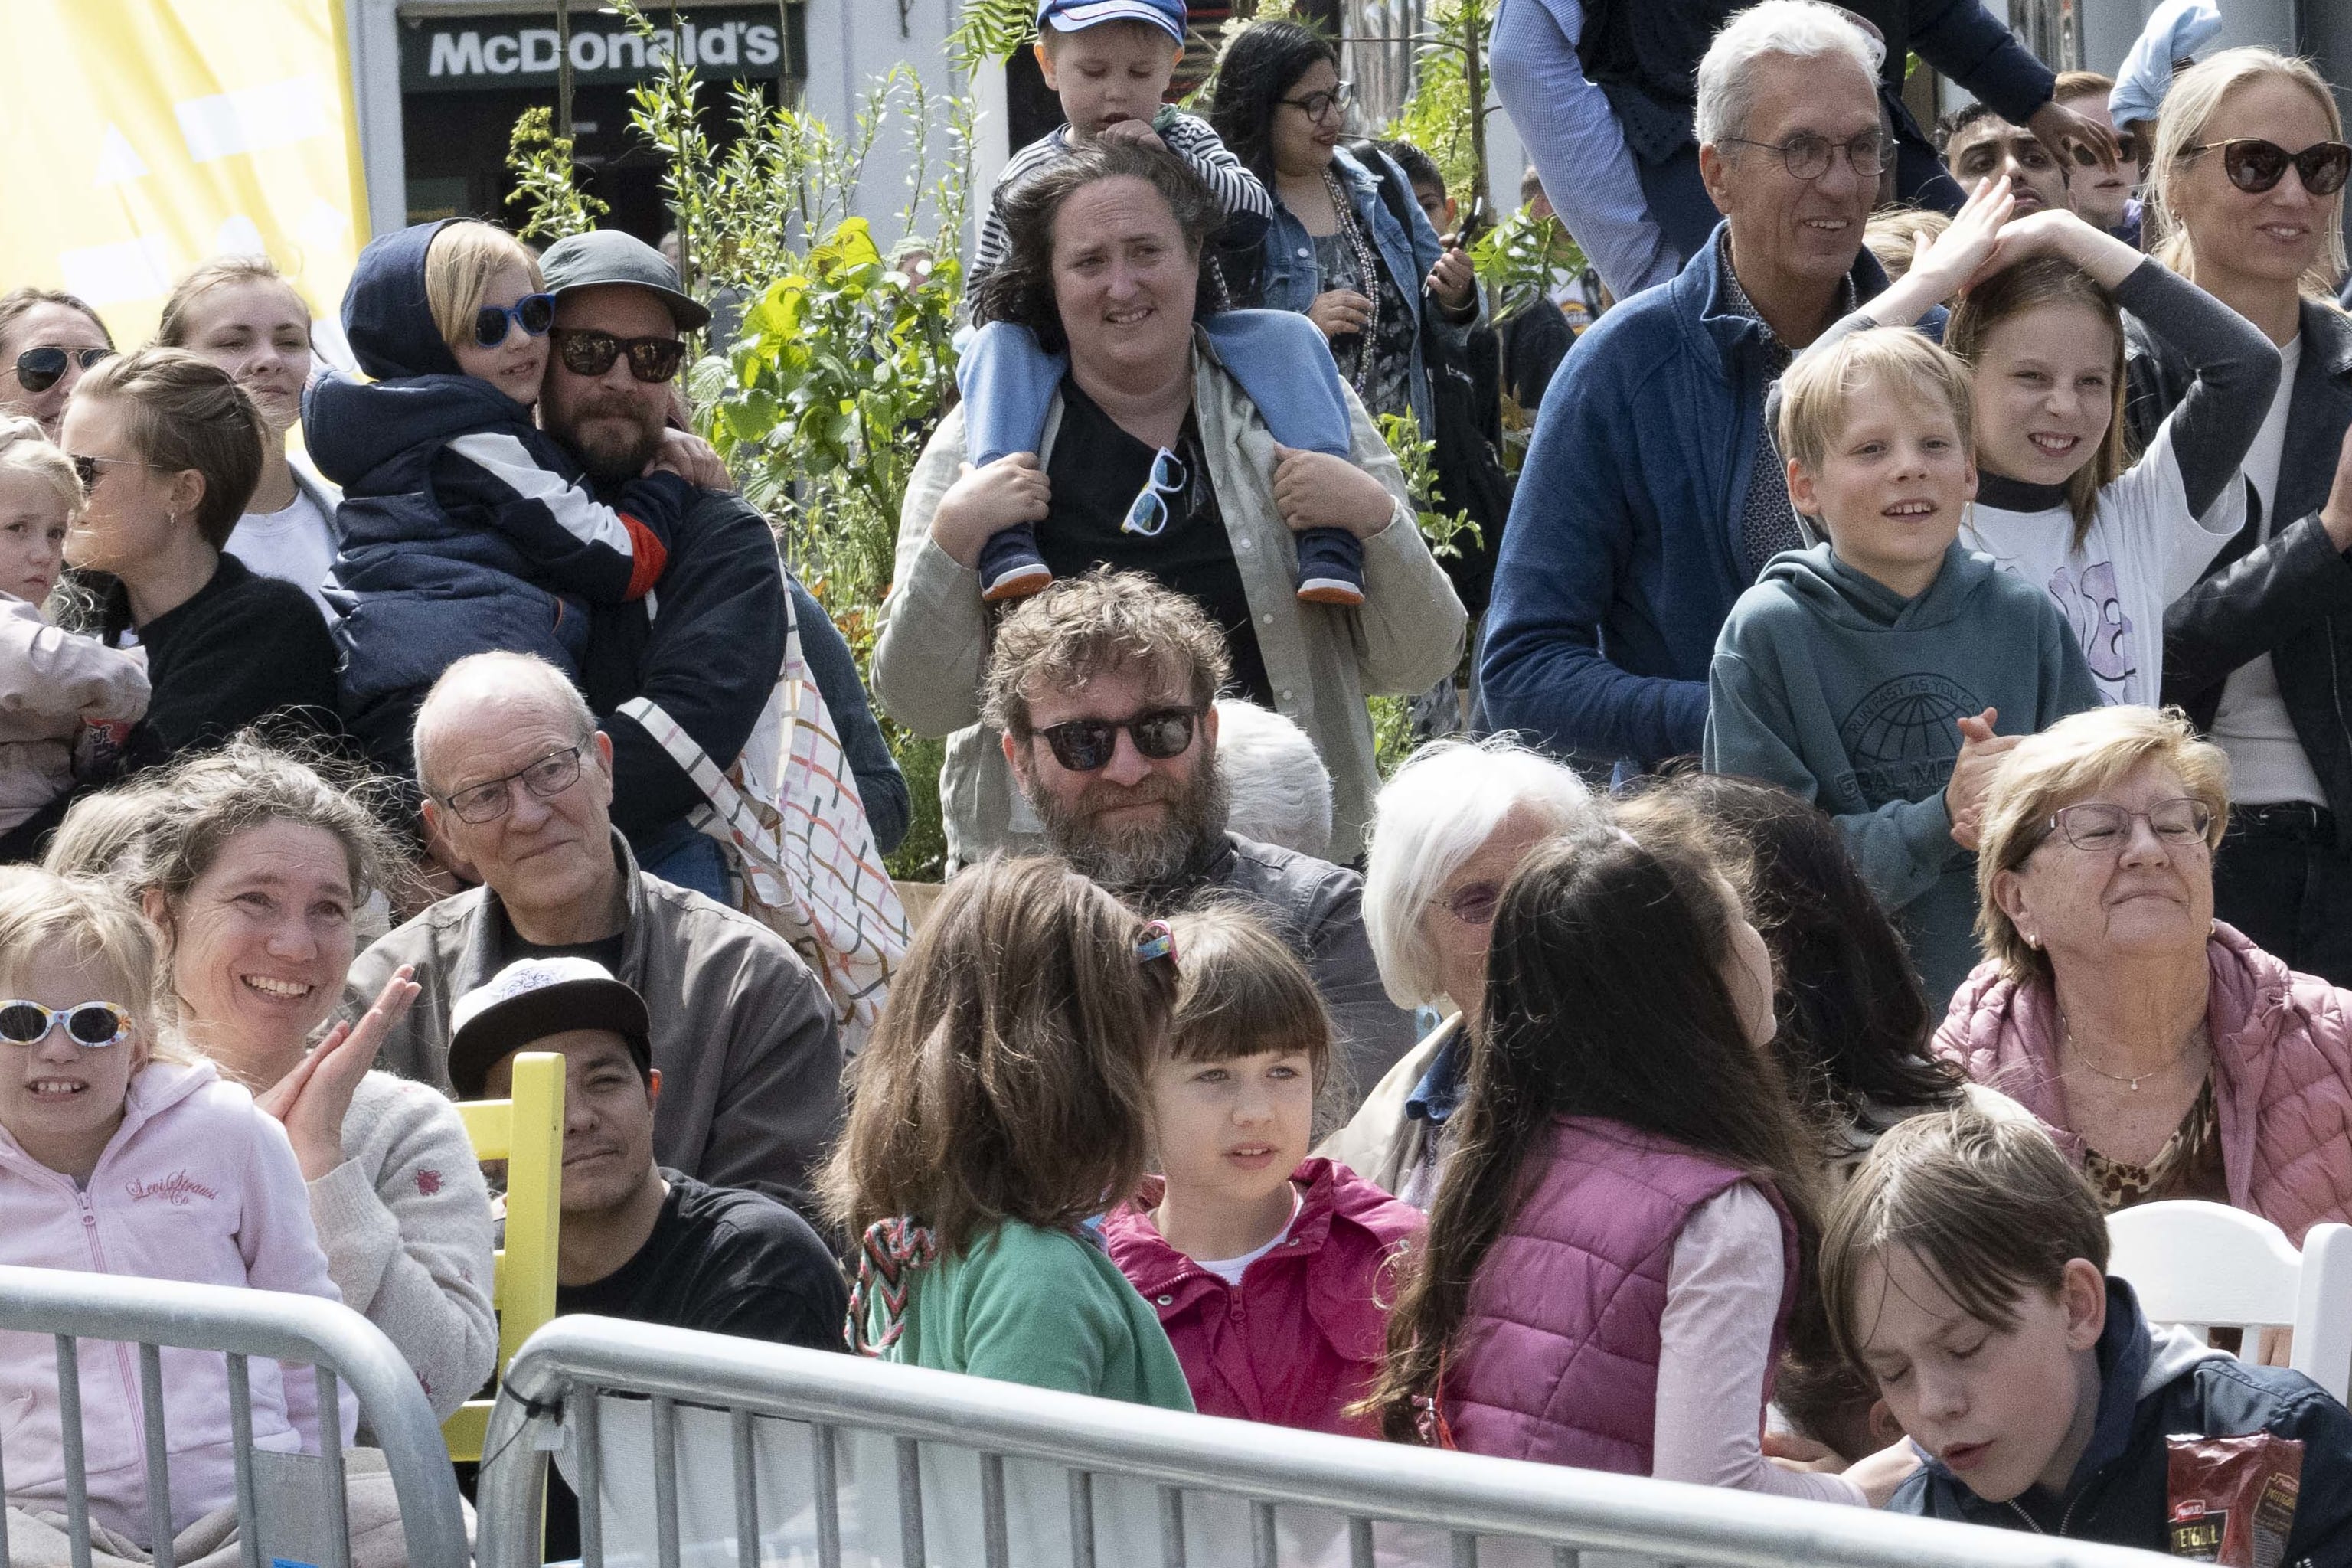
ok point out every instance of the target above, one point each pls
(1349, 243)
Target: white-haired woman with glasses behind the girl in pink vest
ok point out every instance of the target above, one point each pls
(1448, 833)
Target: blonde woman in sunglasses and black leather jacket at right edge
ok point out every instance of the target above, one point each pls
(2247, 203)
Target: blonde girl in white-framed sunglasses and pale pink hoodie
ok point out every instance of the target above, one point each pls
(123, 1158)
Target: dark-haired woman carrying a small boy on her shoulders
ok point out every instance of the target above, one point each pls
(1158, 462)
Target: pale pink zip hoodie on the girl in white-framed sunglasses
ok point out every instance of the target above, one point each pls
(196, 1186)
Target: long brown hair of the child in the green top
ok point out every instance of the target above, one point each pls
(1010, 1073)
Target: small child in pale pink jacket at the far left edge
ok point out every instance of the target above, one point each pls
(53, 683)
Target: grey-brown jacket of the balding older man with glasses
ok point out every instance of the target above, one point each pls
(751, 1068)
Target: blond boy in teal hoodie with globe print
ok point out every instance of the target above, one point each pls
(1871, 671)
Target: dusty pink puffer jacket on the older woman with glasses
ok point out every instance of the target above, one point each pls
(2283, 1076)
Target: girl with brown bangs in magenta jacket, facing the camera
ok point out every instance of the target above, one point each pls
(1271, 1271)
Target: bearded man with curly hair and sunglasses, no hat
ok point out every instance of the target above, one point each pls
(1102, 690)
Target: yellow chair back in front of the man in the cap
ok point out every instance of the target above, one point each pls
(528, 1134)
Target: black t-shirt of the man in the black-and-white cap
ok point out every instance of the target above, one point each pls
(726, 1261)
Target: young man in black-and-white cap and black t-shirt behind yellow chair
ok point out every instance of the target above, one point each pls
(639, 1242)
